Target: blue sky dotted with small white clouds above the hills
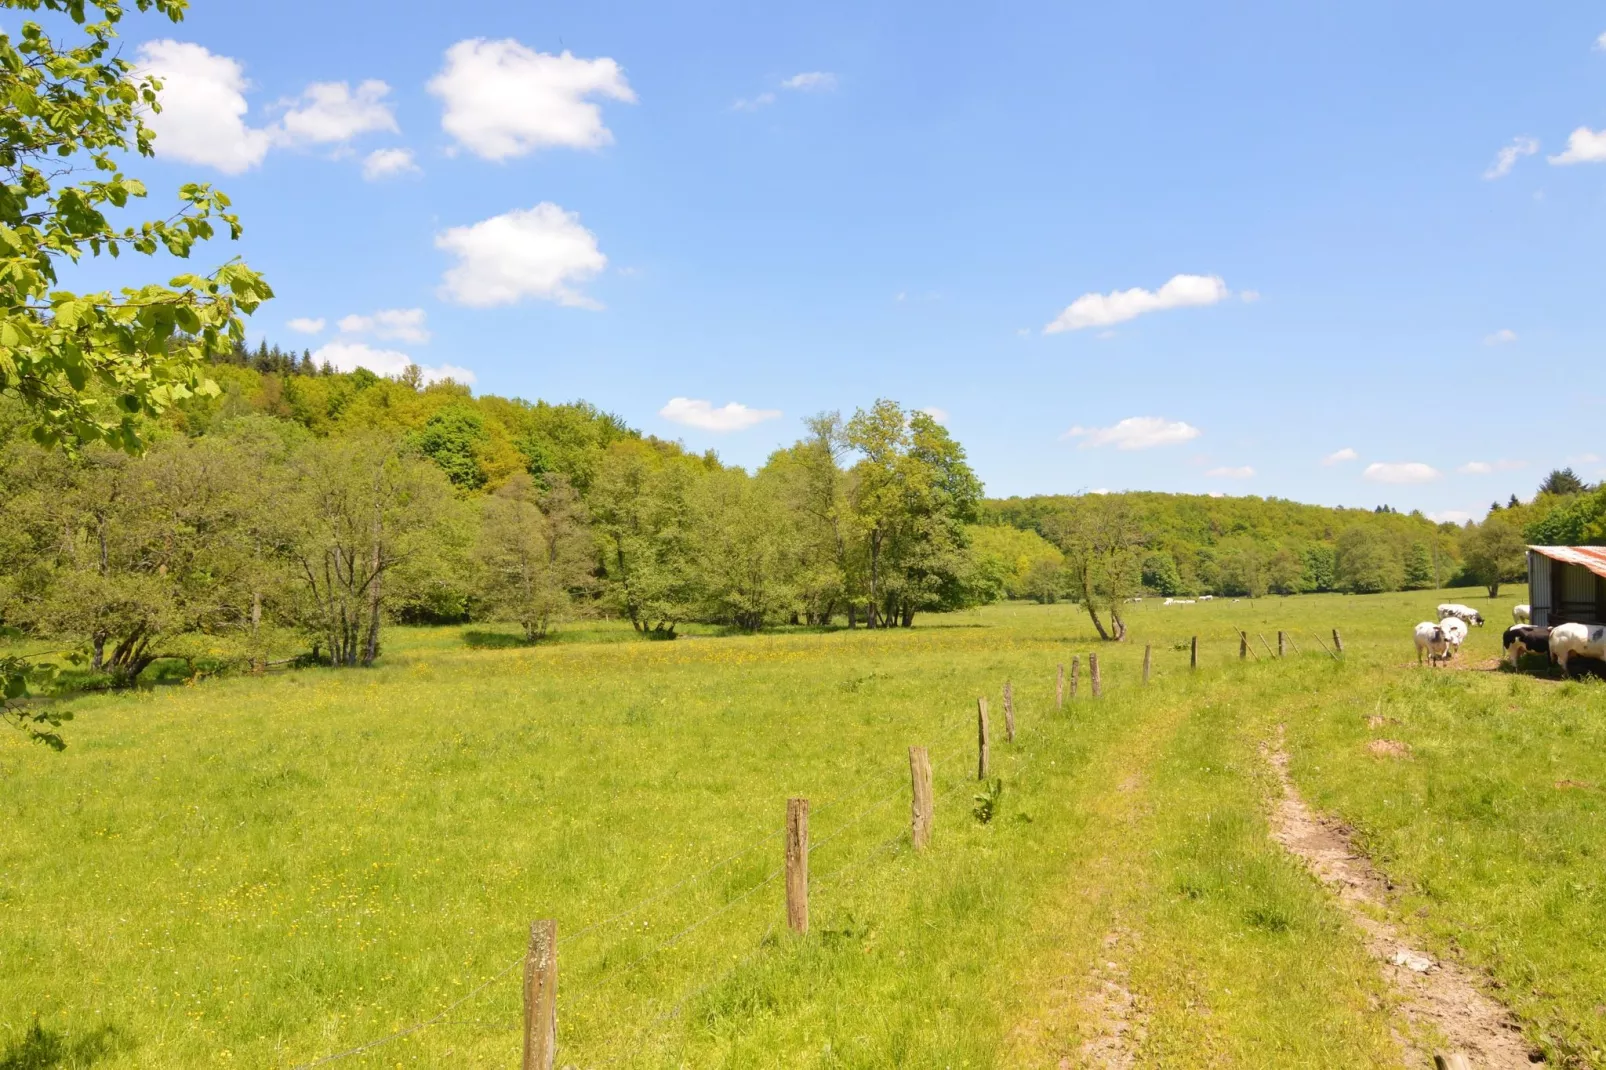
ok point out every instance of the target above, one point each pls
(796, 208)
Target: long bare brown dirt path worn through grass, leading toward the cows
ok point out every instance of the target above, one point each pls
(1433, 992)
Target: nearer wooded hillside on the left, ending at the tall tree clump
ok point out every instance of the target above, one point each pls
(269, 521)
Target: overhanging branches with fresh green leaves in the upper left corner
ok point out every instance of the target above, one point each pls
(89, 366)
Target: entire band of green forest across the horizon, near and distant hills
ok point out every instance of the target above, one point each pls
(296, 512)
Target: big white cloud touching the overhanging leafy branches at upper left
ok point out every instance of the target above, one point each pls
(203, 118)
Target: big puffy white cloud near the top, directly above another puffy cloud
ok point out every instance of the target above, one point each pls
(505, 100)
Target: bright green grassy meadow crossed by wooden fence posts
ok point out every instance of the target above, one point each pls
(263, 873)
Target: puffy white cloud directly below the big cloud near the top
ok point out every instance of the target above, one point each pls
(529, 253)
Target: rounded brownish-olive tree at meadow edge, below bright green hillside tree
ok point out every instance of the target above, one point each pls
(536, 553)
